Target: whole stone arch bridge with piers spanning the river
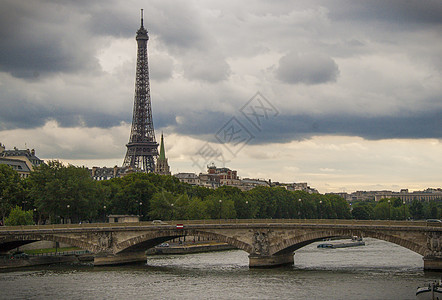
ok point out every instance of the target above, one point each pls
(268, 242)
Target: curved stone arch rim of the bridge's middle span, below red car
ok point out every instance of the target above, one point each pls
(151, 239)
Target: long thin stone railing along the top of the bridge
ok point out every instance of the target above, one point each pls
(230, 221)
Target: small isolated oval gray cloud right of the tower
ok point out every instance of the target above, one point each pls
(306, 68)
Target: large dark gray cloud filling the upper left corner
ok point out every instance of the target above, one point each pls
(36, 39)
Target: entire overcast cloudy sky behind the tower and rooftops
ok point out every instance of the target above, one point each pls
(345, 95)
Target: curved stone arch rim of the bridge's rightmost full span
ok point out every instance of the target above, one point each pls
(296, 242)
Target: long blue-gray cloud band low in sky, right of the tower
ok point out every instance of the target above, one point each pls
(285, 128)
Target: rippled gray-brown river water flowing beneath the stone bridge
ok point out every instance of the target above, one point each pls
(379, 270)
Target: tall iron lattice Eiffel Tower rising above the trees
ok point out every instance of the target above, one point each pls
(142, 148)
